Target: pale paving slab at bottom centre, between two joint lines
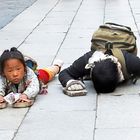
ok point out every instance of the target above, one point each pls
(58, 125)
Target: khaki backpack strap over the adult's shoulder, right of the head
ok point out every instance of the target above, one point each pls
(118, 54)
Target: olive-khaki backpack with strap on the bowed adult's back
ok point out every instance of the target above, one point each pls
(115, 37)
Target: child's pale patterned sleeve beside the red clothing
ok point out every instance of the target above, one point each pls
(32, 84)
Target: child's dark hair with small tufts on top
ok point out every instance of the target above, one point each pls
(11, 54)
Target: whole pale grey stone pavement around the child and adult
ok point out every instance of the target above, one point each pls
(62, 29)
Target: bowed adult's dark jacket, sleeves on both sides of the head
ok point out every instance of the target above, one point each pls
(77, 69)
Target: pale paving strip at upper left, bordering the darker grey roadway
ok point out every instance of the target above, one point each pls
(16, 32)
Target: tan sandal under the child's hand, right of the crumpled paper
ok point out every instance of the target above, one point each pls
(23, 104)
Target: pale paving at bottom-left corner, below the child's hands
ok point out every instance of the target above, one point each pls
(11, 119)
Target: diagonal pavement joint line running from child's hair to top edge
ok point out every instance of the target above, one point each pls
(39, 23)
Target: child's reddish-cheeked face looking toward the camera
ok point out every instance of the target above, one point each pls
(14, 70)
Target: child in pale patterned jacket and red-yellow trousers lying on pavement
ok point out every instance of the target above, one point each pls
(19, 81)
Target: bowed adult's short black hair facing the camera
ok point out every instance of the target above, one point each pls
(105, 76)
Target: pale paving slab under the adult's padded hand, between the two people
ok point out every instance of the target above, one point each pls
(55, 100)
